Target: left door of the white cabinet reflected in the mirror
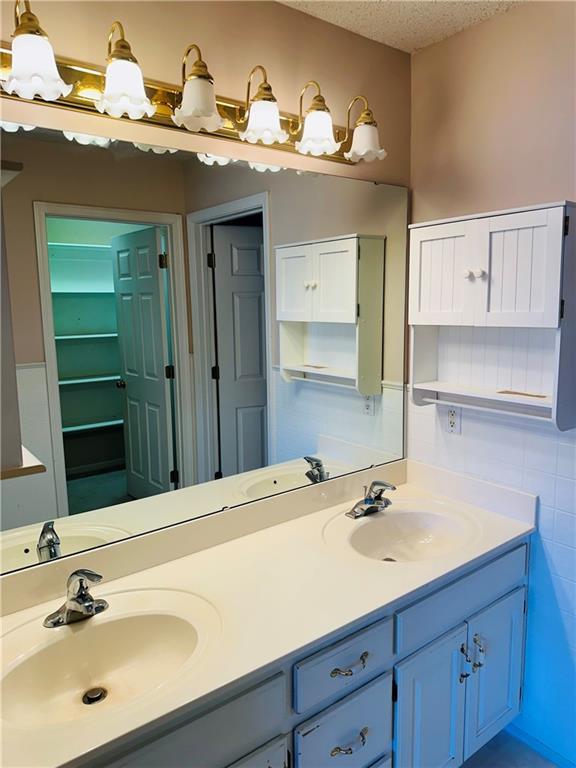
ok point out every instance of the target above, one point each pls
(294, 278)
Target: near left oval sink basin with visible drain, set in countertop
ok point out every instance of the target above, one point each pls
(144, 641)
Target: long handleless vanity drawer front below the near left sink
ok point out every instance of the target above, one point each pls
(219, 737)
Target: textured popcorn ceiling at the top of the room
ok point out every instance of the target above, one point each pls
(405, 24)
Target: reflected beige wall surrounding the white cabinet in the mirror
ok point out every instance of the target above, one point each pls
(313, 207)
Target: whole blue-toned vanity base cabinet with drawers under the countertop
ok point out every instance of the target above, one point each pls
(457, 678)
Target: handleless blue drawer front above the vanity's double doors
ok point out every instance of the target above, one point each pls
(428, 619)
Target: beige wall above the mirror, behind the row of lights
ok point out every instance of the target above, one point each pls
(234, 36)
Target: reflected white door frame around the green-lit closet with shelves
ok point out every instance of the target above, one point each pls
(179, 326)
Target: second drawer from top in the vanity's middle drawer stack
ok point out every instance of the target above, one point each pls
(353, 733)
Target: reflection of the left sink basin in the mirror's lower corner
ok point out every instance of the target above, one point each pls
(18, 547)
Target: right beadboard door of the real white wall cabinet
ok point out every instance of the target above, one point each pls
(521, 269)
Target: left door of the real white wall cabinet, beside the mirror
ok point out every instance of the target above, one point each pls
(442, 283)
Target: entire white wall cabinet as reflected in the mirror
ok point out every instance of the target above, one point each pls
(330, 307)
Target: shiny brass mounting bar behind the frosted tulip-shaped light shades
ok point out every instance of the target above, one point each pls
(88, 81)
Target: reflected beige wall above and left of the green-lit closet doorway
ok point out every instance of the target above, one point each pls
(68, 173)
